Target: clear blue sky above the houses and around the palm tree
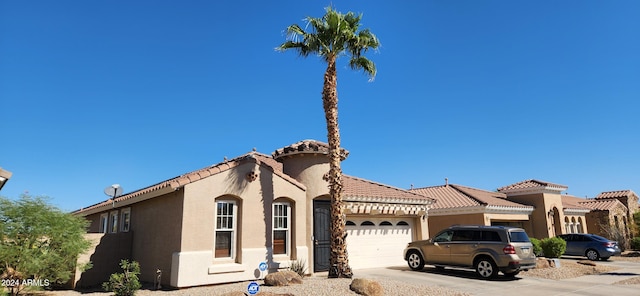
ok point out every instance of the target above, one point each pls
(485, 93)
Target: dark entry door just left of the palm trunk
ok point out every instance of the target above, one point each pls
(321, 235)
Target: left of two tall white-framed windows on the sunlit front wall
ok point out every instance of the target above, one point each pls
(225, 229)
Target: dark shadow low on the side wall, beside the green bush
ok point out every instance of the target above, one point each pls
(105, 258)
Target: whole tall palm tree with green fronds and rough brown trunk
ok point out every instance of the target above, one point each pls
(334, 35)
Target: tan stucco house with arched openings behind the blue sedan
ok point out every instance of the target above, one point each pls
(553, 213)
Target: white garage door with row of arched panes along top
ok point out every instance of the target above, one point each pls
(377, 242)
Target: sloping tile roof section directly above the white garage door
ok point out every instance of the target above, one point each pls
(356, 187)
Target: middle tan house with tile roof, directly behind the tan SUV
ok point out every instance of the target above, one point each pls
(456, 204)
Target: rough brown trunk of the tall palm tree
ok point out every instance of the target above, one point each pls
(339, 261)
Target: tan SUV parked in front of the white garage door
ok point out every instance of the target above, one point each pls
(487, 249)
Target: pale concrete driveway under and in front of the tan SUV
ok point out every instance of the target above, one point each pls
(467, 281)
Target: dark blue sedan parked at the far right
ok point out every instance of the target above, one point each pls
(594, 247)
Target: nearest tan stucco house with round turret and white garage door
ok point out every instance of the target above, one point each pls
(217, 224)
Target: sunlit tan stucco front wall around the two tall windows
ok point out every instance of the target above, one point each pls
(196, 263)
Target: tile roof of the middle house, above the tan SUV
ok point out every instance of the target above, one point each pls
(457, 196)
